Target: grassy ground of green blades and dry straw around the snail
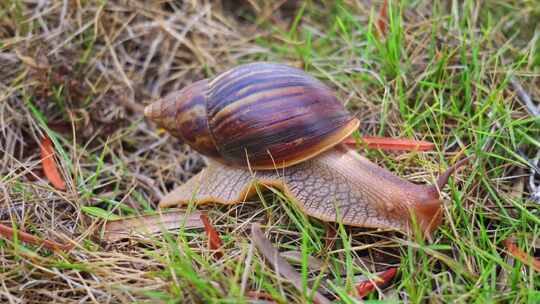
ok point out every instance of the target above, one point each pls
(81, 71)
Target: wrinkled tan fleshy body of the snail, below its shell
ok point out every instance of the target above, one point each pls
(337, 186)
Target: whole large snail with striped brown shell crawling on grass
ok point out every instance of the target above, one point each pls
(274, 125)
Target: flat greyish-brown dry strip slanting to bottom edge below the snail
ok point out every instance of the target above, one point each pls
(280, 265)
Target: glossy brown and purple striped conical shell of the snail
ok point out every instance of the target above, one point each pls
(261, 115)
